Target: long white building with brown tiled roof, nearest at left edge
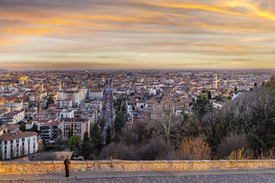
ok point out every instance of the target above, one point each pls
(17, 144)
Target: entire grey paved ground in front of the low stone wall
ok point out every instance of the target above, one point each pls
(266, 175)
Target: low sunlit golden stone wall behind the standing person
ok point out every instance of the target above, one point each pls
(34, 167)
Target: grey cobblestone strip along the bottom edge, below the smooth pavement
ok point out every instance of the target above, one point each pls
(261, 178)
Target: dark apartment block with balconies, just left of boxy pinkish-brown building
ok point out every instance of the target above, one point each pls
(49, 130)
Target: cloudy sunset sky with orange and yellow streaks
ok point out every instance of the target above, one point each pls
(136, 34)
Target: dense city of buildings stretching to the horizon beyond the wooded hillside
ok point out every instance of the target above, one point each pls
(40, 109)
